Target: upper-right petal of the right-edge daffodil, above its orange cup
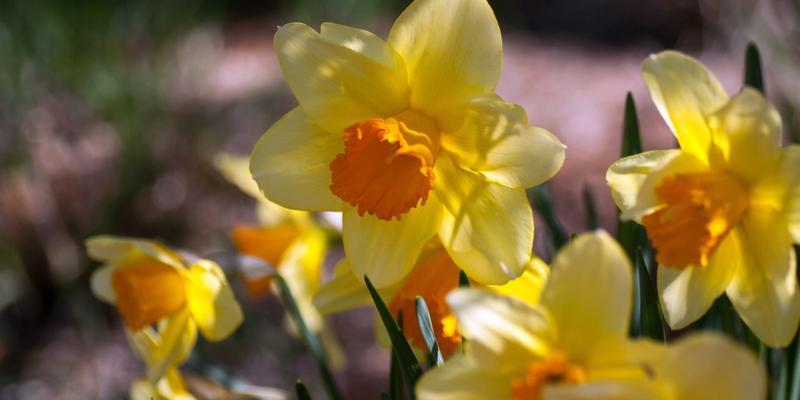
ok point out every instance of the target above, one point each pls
(746, 135)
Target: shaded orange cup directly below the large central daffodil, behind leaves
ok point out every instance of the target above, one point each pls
(432, 280)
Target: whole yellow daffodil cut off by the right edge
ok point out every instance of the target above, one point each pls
(723, 210)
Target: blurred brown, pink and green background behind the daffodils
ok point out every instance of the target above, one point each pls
(111, 112)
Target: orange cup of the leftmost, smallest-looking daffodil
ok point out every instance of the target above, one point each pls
(147, 292)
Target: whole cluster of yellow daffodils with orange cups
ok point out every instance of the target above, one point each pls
(428, 167)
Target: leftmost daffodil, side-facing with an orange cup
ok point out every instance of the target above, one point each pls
(163, 298)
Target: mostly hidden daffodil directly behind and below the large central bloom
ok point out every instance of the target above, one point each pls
(434, 275)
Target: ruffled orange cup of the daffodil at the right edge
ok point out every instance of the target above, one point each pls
(700, 209)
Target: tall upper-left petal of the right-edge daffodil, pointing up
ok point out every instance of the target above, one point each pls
(685, 93)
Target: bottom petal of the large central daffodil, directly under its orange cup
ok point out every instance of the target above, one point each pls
(387, 250)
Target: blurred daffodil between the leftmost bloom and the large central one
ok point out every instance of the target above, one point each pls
(288, 242)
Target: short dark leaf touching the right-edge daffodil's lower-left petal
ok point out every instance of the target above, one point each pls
(648, 320)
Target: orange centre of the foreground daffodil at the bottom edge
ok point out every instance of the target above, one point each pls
(555, 369)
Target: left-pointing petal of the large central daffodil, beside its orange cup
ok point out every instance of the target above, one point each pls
(291, 163)
